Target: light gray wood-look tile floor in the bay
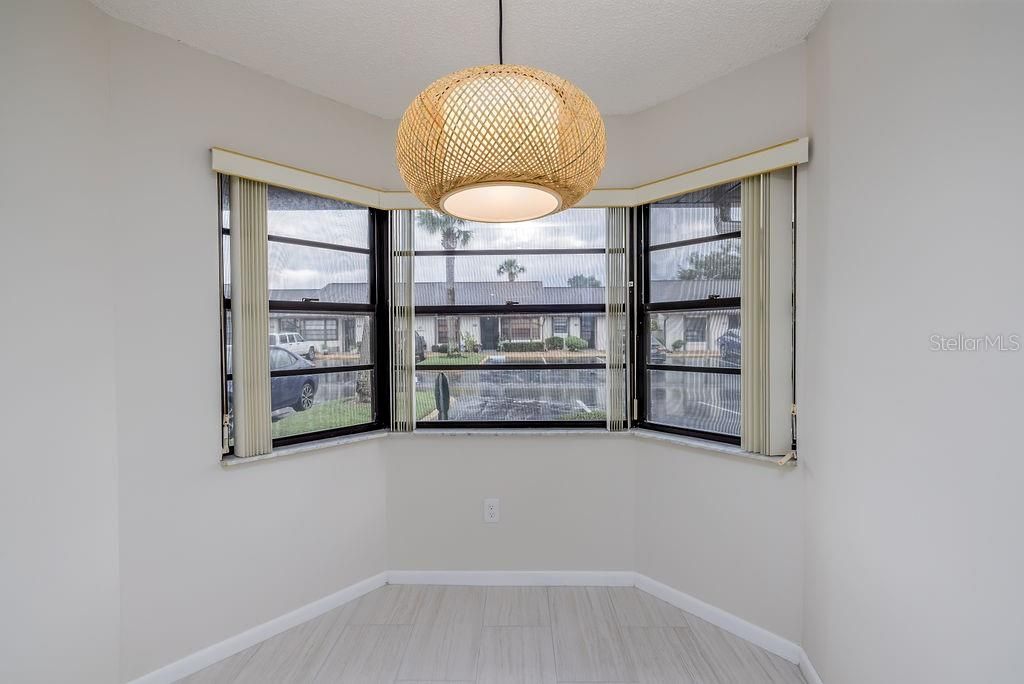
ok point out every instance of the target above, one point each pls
(504, 635)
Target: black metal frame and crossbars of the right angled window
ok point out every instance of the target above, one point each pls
(642, 334)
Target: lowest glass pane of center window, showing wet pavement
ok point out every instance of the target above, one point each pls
(496, 395)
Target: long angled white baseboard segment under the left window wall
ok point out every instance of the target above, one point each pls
(203, 659)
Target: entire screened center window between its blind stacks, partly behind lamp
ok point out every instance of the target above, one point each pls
(510, 321)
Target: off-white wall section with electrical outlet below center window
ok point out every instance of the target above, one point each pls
(567, 502)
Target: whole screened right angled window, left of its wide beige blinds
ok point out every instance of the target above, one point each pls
(690, 356)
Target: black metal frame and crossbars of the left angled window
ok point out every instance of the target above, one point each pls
(378, 250)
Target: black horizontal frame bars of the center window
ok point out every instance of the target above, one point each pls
(510, 310)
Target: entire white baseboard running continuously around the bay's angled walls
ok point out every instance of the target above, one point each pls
(727, 621)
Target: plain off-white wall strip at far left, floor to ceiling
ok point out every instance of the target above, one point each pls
(59, 520)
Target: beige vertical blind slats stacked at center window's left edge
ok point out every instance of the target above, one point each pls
(403, 318)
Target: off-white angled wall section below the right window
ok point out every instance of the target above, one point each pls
(724, 530)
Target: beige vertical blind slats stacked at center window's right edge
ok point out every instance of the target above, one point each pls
(618, 313)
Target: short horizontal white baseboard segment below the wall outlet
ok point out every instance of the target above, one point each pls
(515, 578)
